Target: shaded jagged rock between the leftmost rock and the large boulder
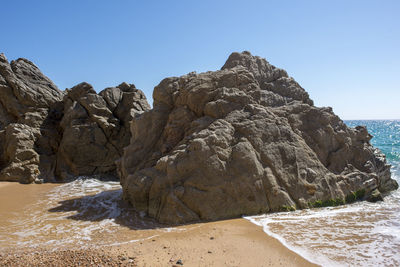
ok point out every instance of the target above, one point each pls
(96, 128)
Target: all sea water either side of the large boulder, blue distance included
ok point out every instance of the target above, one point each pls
(89, 212)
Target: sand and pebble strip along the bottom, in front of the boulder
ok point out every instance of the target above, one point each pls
(236, 242)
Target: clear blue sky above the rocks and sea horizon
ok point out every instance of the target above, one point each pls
(346, 54)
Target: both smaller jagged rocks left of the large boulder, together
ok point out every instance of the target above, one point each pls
(49, 135)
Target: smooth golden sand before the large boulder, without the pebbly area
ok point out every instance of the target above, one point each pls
(225, 243)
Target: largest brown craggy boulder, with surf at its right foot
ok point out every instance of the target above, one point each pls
(244, 140)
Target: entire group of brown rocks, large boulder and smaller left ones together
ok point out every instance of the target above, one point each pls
(245, 139)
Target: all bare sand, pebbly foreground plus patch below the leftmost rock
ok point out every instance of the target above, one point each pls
(225, 243)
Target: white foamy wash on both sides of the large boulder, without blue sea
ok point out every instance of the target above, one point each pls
(360, 234)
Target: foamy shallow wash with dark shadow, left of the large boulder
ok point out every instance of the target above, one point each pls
(80, 210)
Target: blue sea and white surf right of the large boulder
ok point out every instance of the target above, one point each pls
(360, 234)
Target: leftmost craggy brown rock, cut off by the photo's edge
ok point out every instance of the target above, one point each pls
(30, 106)
